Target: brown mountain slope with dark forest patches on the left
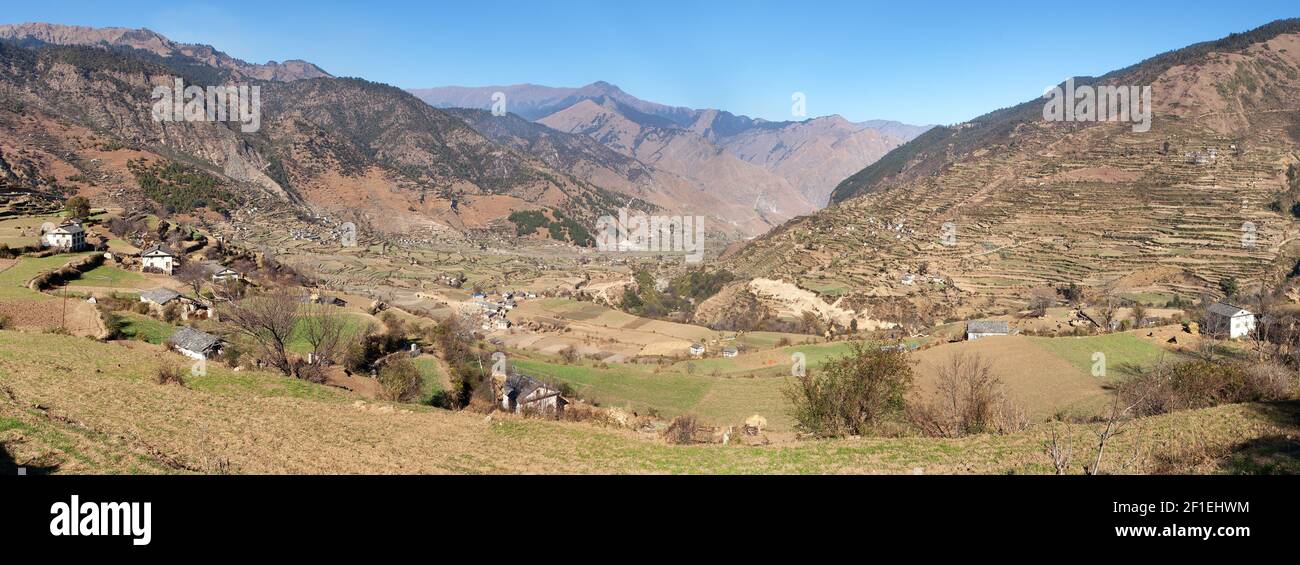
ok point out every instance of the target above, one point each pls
(341, 146)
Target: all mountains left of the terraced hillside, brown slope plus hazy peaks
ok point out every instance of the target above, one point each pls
(372, 150)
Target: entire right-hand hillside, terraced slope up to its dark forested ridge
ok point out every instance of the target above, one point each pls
(1011, 202)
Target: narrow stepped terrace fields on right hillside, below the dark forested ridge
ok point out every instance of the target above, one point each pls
(1030, 224)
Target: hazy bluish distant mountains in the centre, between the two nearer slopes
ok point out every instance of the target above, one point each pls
(777, 169)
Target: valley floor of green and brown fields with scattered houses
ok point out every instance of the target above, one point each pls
(541, 346)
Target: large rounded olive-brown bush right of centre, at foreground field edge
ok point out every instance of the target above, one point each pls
(855, 394)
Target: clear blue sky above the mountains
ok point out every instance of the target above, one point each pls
(916, 62)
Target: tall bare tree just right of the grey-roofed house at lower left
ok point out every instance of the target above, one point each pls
(267, 320)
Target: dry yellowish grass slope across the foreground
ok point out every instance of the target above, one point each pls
(75, 406)
